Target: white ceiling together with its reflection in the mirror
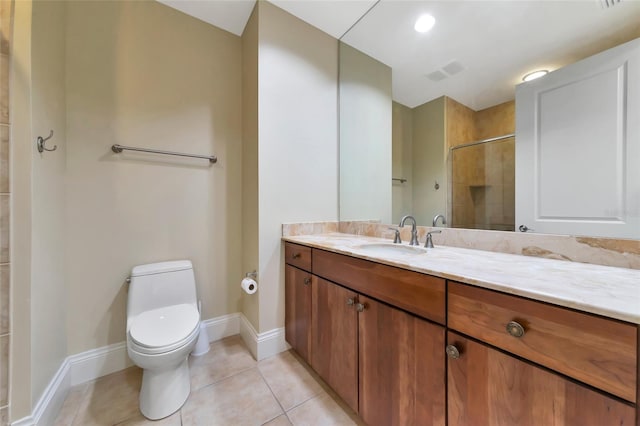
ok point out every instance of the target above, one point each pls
(496, 42)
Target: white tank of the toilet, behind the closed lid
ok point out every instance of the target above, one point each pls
(161, 284)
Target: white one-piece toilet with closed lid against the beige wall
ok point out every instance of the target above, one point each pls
(162, 329)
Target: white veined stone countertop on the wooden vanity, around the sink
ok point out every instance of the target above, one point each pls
(603, 290)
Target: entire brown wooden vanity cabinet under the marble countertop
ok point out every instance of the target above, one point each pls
(376, 334)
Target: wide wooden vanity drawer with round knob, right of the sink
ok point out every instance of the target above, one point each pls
(598, 351)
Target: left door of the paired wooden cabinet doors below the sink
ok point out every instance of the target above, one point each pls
(335, 339)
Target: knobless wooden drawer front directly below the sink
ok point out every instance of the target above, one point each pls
(417, 293)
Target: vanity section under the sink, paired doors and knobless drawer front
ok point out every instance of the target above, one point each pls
(387, 364)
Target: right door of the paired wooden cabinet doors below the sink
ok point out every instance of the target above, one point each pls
(402, 367)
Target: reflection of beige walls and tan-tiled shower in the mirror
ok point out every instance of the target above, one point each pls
(425, 141)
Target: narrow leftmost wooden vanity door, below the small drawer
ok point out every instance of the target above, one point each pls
(297, 310)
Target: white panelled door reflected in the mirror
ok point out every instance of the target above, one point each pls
(578, 147)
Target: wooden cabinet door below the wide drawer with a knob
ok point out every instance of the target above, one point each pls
(488, 387)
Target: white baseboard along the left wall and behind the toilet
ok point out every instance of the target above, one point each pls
(95, 363)
